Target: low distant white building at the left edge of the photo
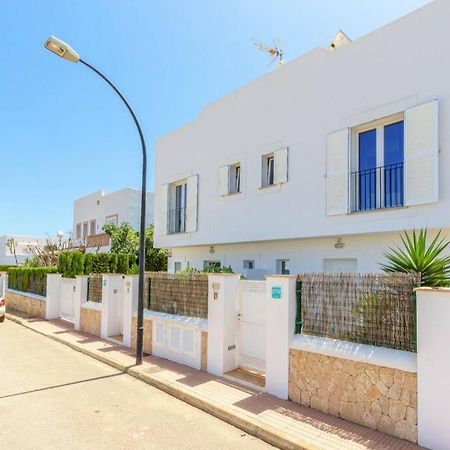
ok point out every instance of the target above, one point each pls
(21, 246)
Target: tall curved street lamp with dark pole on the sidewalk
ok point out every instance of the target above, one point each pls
(65, 51)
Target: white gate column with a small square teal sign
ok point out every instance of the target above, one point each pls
(280, 327)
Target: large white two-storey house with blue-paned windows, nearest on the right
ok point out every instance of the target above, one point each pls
(318, 165)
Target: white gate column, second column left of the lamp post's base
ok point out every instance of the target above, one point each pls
(112, 291)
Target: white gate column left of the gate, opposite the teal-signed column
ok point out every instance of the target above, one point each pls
(222, 322)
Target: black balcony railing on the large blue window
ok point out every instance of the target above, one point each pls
(378, 188)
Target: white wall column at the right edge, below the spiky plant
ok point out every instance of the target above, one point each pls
(433, 367)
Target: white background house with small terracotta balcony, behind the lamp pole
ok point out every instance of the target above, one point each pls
(93, 211)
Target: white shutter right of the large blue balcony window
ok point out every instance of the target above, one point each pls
(421, 154)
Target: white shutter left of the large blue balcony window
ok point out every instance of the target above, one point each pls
(337, 172)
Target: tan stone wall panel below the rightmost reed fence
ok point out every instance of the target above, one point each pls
(378, 397)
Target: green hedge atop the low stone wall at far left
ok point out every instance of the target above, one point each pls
(29, 279)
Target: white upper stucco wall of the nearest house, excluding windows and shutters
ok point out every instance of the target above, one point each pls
(297, 105)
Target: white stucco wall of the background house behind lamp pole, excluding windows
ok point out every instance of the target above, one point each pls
(126, 203)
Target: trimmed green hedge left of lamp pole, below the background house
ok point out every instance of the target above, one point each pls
(72, 263)
